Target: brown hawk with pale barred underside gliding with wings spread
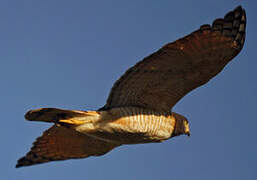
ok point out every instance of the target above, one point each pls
(138, 109)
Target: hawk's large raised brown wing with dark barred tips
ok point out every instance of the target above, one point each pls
(160, 80)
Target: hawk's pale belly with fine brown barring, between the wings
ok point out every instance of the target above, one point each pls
(132, 125)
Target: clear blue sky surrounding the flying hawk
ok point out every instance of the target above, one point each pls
(67, 54)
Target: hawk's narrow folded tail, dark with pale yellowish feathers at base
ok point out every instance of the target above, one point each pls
(61, 116)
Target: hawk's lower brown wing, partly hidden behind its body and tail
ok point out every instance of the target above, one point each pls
(60, 143)
